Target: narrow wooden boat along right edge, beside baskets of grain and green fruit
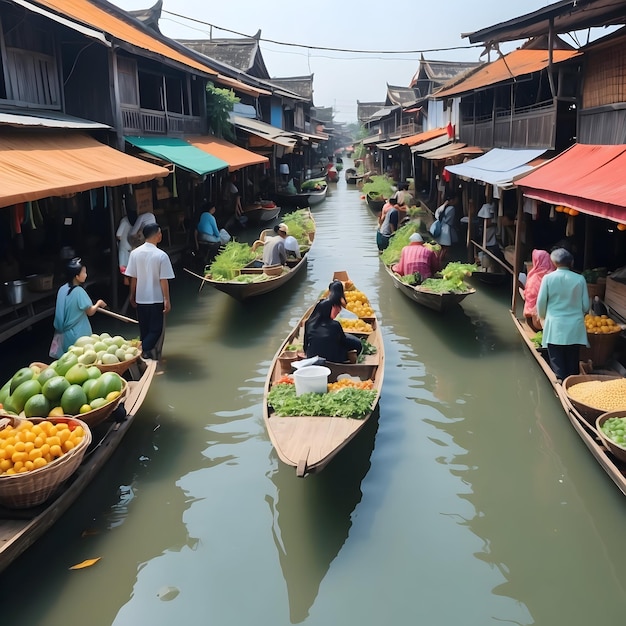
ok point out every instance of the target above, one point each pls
(614, 467)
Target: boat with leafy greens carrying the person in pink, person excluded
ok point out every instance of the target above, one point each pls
(446, 289)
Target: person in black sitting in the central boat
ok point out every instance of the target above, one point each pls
(323, 335)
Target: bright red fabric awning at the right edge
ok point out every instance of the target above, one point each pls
(588, 178)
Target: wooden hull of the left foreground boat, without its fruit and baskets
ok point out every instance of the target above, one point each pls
(20, 528)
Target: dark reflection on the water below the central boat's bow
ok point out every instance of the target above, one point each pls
(312, 519)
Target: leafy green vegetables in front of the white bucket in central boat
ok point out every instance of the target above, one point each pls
(349, 402)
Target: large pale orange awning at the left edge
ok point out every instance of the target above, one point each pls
(39, 165)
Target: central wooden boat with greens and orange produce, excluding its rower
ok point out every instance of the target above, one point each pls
(309, 430)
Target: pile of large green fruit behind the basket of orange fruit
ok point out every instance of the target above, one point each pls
(66, 387)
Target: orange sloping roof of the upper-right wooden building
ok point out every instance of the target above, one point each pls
(512, 65)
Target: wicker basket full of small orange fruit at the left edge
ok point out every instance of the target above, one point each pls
(37, 455)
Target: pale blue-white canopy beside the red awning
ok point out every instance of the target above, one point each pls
(498, 167)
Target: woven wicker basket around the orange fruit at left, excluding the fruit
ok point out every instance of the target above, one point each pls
(21, 491)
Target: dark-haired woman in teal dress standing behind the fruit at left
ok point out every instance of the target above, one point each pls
(74, 306)
